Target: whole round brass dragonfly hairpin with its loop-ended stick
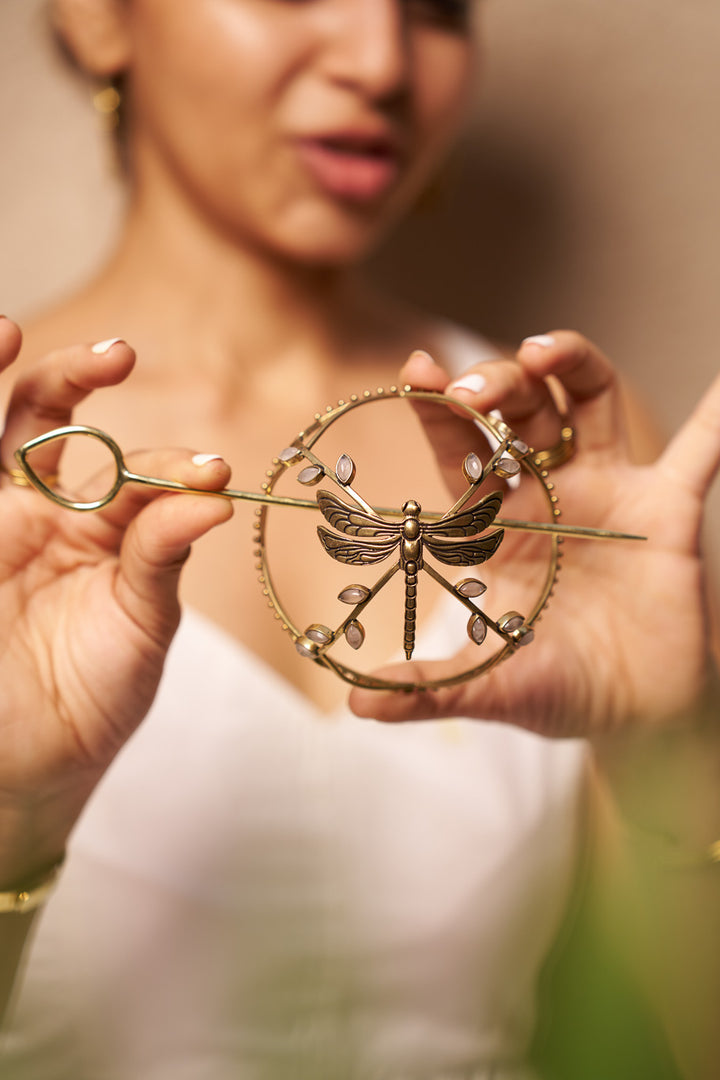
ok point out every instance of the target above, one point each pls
(467, 535)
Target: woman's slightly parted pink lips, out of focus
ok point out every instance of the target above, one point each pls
(352, 169)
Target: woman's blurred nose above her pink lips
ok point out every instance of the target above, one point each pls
(368, 47)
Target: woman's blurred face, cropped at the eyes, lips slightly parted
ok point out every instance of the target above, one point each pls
(303, 127)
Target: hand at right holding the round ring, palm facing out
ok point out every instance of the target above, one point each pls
(626, 640)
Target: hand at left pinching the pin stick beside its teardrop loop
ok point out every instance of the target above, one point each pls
(88, 605)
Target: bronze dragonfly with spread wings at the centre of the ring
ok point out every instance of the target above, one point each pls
(369, 538)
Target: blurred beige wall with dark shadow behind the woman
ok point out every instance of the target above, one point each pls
(586, 195)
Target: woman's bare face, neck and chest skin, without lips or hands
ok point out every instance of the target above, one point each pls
(199, 247)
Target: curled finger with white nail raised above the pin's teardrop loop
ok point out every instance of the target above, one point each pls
(47, 394)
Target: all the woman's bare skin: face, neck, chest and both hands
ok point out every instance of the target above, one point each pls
(236, 281)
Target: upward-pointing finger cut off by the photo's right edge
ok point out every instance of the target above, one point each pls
(692, 457)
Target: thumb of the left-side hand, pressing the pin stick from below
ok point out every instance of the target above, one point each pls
(154, 552)
